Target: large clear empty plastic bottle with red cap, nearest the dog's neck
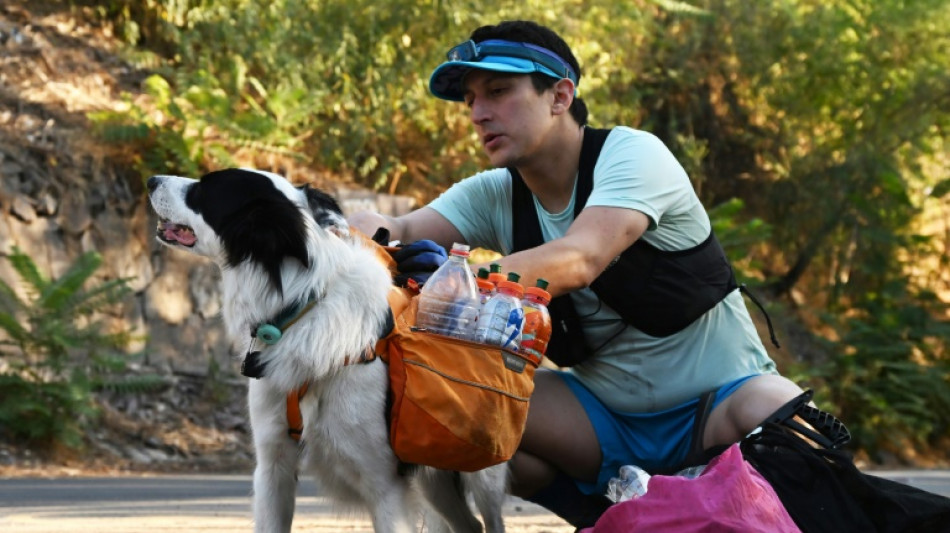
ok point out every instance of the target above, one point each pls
(448, 303)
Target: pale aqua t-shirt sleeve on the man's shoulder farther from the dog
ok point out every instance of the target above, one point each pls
(637, 171)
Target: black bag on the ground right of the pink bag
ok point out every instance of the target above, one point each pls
(823, 490)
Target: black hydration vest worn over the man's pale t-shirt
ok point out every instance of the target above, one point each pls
(658, 292)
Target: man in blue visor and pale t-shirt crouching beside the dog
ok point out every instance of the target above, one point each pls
(658, 343)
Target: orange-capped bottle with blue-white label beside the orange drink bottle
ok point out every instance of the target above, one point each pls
(502, 318)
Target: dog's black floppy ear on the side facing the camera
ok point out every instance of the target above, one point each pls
(267, 231)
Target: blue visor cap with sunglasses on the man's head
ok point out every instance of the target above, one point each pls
(498, 56)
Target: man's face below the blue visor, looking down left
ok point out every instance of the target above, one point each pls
(509, 116)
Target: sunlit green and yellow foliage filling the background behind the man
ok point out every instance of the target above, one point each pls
(815, 131)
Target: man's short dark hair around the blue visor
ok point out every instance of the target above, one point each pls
(525, 31)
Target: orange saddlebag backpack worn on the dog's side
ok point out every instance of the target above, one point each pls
(457, 405)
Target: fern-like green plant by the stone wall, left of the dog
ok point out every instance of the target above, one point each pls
(56, 351)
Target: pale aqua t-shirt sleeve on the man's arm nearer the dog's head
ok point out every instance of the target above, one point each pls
(480, 209)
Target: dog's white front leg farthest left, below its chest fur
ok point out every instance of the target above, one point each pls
(276, 454)
